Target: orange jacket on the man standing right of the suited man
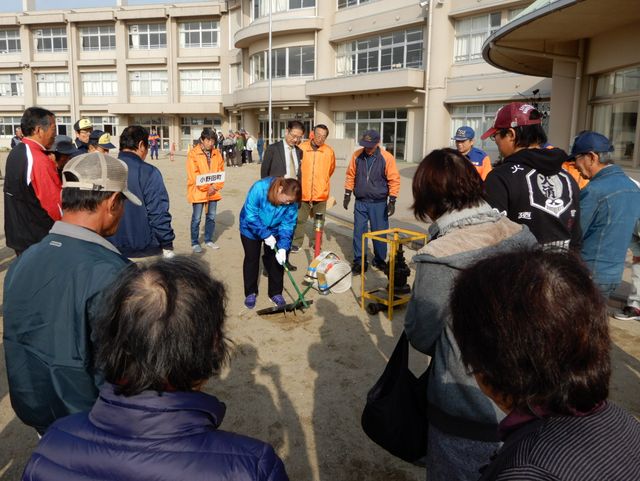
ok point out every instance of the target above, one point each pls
(316, 168)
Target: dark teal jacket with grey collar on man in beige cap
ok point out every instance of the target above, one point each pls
(52, 294)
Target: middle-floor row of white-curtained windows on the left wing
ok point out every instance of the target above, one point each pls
(98, 84)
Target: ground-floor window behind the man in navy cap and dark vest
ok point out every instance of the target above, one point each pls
(391, 123)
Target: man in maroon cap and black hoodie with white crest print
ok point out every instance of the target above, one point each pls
(529, 186)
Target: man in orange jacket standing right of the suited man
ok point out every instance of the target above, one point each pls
(317, 167)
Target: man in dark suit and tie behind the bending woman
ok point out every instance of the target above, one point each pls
(282, 158)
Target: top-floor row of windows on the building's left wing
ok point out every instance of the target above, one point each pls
(103, 37)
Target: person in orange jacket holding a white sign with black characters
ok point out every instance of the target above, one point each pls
(204, 159)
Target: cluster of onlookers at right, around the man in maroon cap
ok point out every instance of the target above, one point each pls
(509, 300)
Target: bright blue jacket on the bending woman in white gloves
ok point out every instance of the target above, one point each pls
(259, 218)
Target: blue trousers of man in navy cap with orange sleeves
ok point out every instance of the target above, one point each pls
(365, 214)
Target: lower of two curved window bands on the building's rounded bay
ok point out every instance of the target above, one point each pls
(285, 62)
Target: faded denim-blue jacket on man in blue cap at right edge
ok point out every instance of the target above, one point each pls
(610, 207)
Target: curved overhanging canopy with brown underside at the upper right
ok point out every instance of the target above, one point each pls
(549, 29)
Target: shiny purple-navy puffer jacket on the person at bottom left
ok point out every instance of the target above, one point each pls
(151, 436)
